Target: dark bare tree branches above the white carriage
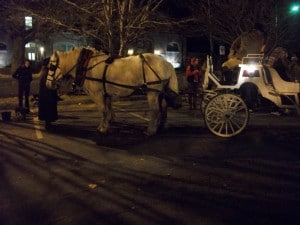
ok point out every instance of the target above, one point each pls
(224, 20)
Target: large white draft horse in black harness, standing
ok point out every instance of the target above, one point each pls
(103, 78)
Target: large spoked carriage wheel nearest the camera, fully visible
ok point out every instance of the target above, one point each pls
(226, 115)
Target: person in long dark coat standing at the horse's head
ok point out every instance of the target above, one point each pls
(47, 106)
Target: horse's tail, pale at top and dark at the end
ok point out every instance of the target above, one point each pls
(172, 91)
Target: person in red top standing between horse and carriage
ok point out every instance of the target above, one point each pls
(193, 74)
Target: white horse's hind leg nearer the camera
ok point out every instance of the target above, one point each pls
(153, 101)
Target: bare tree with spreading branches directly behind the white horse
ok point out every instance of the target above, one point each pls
(112, 23)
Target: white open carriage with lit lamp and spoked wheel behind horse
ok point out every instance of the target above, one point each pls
(225, 111)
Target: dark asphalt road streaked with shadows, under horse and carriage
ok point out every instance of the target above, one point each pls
(183, 176)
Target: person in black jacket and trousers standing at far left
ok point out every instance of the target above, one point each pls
(24, 76)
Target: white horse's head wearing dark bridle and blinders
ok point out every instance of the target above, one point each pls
(54, 73)
